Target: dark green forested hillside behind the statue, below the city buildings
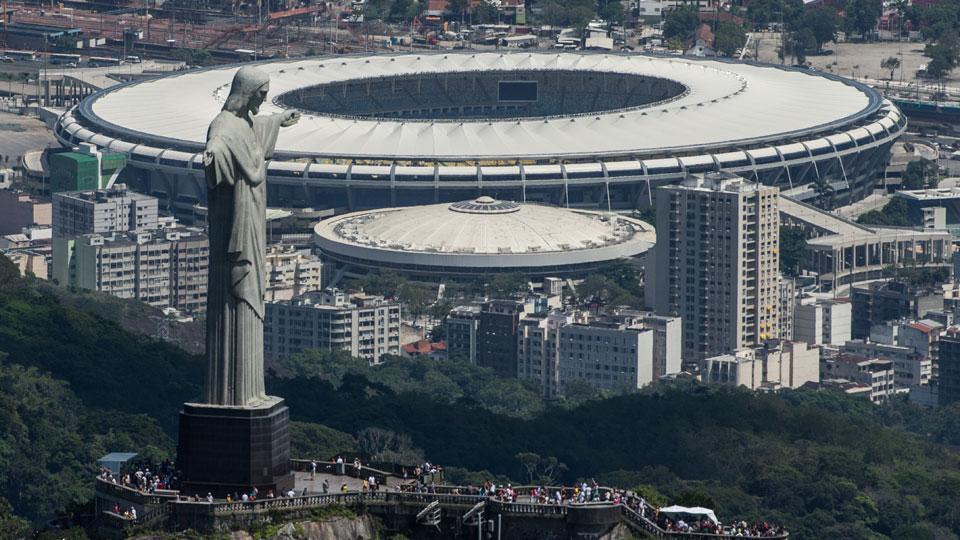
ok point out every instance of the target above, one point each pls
(74, 386)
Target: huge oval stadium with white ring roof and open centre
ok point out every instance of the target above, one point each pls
(587, 130)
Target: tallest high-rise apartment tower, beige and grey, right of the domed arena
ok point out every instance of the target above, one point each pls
(716, 262)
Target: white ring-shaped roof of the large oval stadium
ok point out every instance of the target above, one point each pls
(726, 102)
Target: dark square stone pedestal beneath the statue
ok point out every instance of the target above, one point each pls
(234, 449)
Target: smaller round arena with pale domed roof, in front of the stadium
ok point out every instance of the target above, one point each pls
(479, 237)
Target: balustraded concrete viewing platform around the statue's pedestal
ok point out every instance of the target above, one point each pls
(448, 511)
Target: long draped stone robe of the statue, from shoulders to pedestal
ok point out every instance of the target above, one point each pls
(235, 167)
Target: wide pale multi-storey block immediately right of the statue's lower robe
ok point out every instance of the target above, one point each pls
(366, 326)
